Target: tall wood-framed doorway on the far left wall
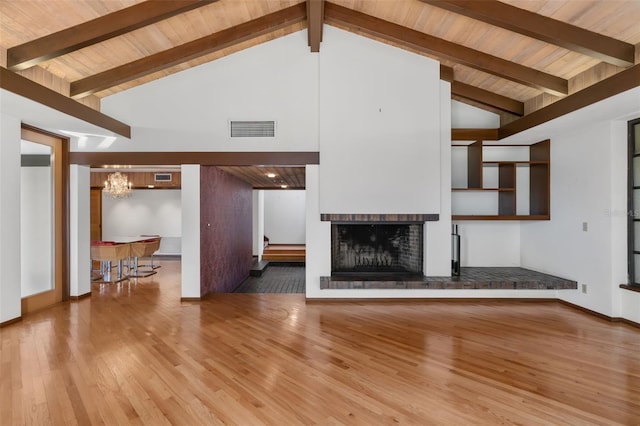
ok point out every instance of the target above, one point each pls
(44, 219)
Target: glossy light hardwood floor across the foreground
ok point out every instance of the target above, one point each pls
(134, 354)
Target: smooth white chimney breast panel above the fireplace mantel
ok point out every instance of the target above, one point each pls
(379, 127)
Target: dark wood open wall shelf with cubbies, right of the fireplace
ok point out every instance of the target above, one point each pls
(501, 182)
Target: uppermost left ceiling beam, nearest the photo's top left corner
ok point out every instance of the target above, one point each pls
(105, 27)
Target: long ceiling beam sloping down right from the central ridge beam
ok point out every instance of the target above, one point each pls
(445, 49)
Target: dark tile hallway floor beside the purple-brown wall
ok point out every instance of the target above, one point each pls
(285, 278)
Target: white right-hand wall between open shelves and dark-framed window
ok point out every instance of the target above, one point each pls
(581, 193)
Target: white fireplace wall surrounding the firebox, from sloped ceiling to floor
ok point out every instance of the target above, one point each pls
(384, 148)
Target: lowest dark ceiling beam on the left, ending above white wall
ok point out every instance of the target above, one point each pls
(24, 87)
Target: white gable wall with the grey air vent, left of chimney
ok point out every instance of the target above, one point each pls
(190, 110)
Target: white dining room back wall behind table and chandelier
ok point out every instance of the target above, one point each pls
(146, 212)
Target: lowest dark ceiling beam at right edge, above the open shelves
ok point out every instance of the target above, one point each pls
(621, 82)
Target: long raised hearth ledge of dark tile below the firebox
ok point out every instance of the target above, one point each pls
(471, 278)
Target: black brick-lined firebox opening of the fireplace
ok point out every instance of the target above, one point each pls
(377, 248)
